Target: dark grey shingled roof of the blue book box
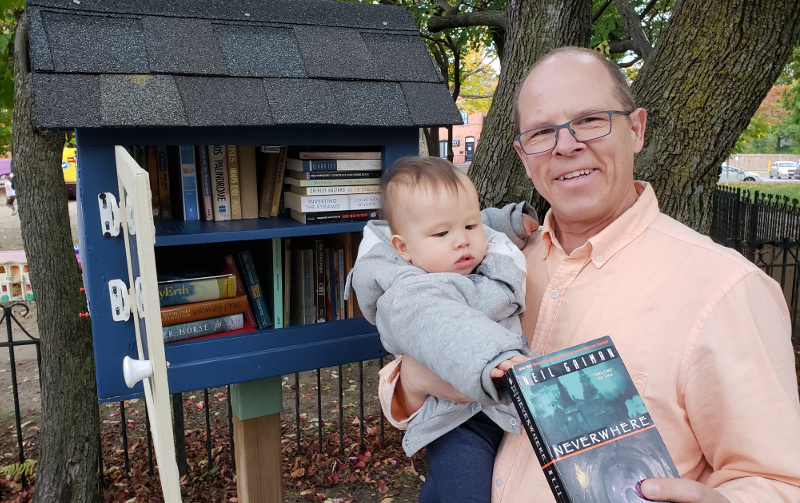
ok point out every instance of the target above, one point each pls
(123, 63)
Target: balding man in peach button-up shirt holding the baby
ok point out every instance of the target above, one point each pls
(703, 332)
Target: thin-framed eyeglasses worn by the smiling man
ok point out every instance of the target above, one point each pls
(585, 128)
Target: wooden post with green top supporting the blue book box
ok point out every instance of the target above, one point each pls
(257, 439)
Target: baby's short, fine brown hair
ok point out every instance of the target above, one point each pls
(412, 172)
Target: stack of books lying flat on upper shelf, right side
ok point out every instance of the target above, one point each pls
(333, 186)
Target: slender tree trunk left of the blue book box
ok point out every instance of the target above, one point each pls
(67, 470)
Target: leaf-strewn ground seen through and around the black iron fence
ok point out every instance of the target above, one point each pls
(374, 473)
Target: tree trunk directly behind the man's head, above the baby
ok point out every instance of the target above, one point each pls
(533, 28)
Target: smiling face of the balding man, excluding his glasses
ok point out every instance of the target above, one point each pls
(588, 184)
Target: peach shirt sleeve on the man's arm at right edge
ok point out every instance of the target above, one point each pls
(742, 397)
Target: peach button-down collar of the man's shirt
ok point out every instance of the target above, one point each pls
(605, 244)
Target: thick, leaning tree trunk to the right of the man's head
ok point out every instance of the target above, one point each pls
(711, 68)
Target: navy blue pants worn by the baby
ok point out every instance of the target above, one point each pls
(461, 463)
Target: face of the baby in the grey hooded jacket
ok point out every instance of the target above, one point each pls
(439, 230)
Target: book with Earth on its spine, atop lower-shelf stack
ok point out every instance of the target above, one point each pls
(194, 287)
